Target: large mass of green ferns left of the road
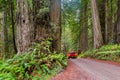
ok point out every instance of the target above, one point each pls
(38, 64)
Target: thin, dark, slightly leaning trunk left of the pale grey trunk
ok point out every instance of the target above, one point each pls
(13, 29)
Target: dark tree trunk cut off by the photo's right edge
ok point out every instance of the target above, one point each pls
(118, 22)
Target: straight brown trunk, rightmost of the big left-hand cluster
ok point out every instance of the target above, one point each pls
(55, 16)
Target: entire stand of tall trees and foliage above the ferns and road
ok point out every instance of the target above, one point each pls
(83, 24)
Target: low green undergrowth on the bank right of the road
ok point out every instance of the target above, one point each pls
(106, 52)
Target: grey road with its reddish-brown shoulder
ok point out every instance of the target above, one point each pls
(89, 69)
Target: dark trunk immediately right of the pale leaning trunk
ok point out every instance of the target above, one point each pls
(102, 11)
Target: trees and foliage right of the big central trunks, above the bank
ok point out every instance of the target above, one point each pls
(81, 23)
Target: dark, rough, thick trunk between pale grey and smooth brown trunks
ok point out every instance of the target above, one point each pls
(41, 21)
